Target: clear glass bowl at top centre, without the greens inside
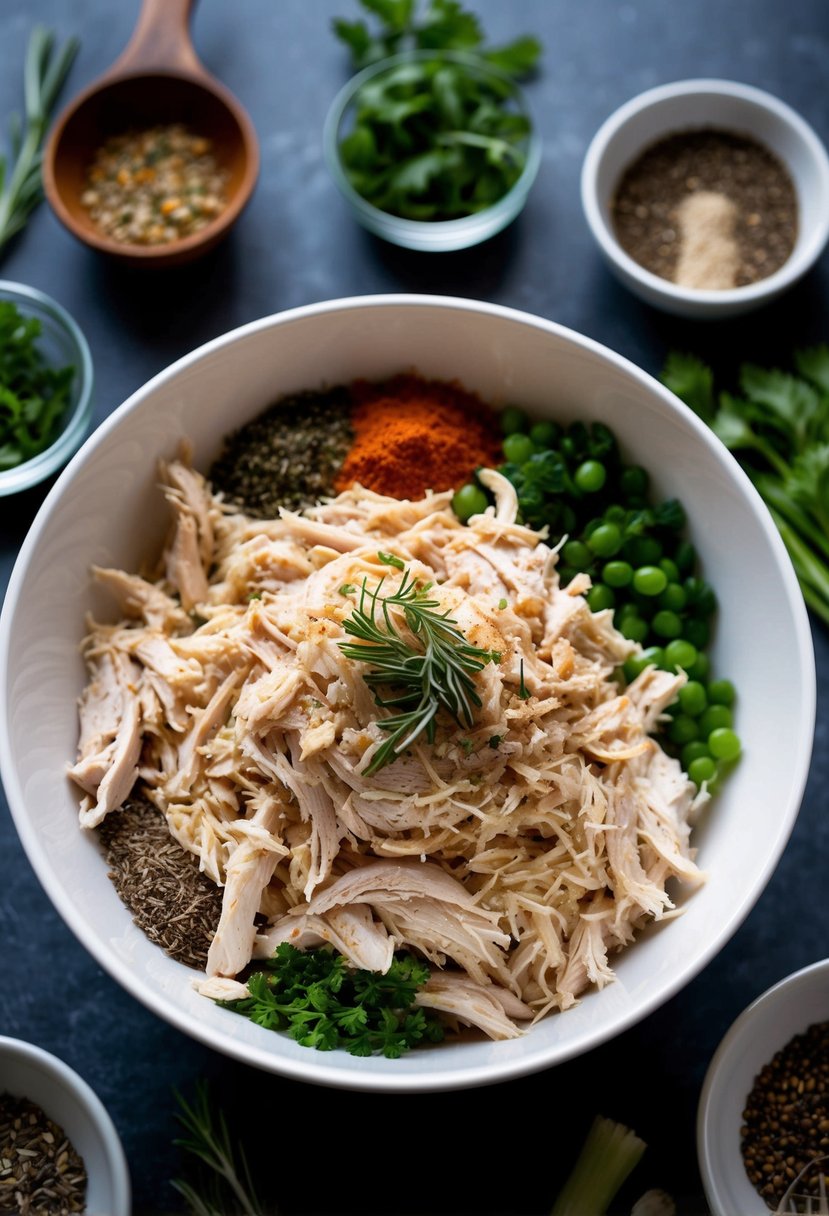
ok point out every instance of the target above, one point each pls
(430, 235)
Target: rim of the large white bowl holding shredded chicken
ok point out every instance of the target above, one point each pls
(323, 1073)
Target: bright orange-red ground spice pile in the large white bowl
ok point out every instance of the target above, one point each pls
(413, 436)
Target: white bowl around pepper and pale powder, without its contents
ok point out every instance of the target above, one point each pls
(692, 105)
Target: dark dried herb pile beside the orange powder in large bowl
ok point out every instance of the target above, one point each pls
(289, 457)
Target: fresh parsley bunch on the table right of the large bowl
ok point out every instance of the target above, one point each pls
(779, 427)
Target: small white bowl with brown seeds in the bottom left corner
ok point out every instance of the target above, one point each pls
(59, 1150)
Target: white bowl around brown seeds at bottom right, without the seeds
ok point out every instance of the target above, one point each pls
(762, 1031)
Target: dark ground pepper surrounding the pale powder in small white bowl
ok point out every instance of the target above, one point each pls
(646, 205)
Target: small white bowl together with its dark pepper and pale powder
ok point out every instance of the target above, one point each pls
(708, 199)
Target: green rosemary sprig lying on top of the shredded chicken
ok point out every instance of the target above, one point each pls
(428, 671)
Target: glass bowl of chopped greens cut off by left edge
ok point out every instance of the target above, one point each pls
(46, 387)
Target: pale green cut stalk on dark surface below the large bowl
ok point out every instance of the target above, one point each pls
(608, 1157)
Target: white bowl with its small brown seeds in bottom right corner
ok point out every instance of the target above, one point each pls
(763, 1130)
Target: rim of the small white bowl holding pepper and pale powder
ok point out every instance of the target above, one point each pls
(652, 99)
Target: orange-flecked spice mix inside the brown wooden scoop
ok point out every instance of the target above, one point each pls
(155, 187)
